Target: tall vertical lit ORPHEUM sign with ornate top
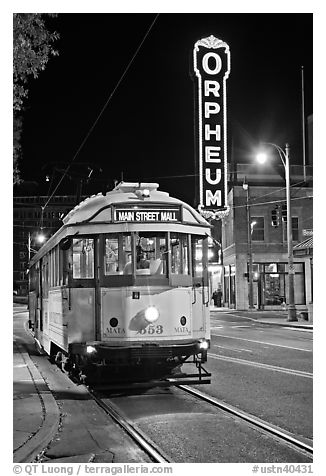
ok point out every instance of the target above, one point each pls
(212, 67)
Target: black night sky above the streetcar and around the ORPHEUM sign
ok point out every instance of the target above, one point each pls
(146, 132)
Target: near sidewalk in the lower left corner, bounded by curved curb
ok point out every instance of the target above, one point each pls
(36, 415)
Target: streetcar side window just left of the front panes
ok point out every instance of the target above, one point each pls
(83, 258)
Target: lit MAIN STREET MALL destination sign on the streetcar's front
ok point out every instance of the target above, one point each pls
(147, 215)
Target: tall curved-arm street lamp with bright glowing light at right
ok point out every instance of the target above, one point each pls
(285, 159)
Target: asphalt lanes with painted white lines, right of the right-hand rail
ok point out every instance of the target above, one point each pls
(263, 369)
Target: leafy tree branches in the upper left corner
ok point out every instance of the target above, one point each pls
(31, 52)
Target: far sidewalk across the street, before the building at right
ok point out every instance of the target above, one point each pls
(278, 318)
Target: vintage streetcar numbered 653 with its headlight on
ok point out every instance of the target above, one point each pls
(120, 292)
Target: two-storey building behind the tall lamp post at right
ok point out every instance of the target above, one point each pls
(256, 231)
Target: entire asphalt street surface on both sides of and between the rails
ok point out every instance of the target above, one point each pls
(262, 369)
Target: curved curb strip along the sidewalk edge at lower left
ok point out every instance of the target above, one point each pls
(51, 417)
